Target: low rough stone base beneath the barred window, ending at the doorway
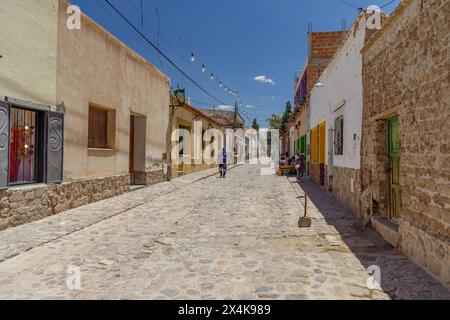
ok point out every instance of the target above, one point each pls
(26, 204)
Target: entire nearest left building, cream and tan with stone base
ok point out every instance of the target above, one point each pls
(82, 116)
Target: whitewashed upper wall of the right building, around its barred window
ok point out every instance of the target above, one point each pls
(342, 81)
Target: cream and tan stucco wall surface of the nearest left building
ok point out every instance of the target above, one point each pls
(45, 62)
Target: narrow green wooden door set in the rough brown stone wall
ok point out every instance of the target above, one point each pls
(394, 167)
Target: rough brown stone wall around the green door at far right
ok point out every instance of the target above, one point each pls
(406, 73)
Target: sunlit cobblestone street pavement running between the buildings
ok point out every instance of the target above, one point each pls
(201, 237)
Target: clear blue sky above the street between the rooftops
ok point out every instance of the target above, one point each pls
(237, 40)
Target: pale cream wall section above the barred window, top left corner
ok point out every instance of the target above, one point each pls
(28, 44)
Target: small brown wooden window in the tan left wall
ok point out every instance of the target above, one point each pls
(101, 128)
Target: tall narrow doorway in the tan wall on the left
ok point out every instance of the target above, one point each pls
(137, 150)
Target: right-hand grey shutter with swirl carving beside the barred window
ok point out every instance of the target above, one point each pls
(54, 147)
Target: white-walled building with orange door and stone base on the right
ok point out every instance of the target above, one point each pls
(336, 116)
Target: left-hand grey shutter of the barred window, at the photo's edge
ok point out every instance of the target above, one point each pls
(4, 144)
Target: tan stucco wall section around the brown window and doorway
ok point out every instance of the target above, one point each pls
(94, 67)
